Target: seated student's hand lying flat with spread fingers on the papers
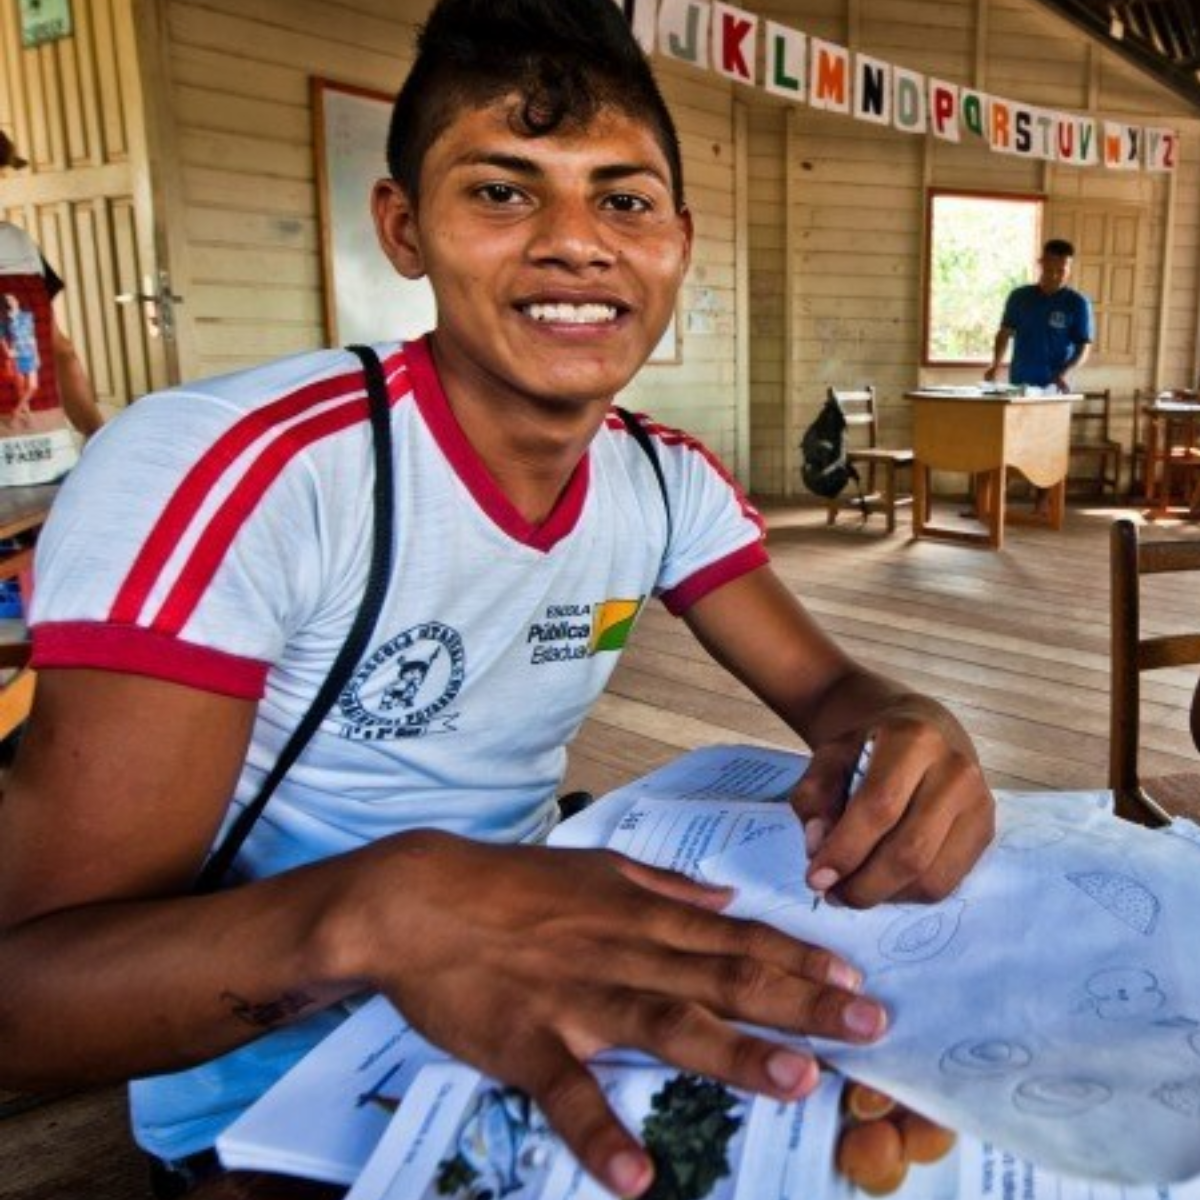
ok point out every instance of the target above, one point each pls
(527, 962)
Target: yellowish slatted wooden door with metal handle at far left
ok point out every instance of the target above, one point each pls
(75, 110)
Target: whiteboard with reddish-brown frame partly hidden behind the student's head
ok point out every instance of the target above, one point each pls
(365, 299)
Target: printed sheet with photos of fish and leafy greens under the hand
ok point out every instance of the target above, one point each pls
(460, 1136)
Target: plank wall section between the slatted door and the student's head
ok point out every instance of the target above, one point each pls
(239, 85)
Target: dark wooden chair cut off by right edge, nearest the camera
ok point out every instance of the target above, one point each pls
(1148, 801)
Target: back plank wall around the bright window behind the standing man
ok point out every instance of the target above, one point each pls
(857, 243)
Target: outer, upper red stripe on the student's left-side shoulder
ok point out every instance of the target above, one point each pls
(197, 485)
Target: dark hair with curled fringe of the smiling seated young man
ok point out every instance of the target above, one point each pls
(566, 59)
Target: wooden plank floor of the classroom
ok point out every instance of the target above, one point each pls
(1015, 641)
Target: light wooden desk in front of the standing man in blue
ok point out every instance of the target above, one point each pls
(986, 435)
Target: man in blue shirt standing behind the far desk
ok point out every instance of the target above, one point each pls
(1049, 323)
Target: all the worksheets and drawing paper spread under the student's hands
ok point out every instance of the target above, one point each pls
(1051, 1007)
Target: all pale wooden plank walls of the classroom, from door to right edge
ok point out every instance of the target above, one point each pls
(835, 278)
